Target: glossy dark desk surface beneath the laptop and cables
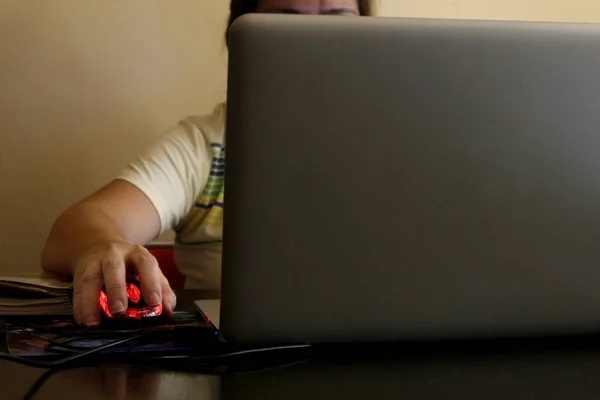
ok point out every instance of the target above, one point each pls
(561, 369)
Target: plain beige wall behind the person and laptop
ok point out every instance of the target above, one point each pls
(84, 85)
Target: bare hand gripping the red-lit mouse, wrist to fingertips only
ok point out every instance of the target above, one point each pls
(108, 264)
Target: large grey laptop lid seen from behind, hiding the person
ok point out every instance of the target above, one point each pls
(410, 179)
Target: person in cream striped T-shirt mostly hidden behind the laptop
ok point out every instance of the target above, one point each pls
(177, 183)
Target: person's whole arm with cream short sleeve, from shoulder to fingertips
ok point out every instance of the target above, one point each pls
(99, 240)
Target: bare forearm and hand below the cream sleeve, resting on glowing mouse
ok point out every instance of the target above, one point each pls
(98, 240)
